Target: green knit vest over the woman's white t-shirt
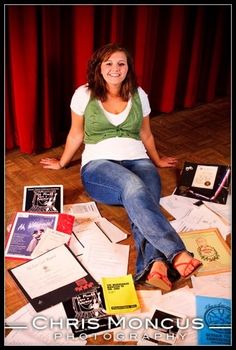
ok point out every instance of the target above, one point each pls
(97, 127)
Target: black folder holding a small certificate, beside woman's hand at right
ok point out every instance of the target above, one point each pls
(208, 182)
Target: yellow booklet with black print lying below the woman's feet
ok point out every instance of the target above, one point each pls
(120, 294)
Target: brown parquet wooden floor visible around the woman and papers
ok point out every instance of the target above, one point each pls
(201, 134)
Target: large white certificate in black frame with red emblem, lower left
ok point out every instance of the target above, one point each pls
(52, 277)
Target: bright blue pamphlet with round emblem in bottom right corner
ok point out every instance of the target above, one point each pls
(216, 315)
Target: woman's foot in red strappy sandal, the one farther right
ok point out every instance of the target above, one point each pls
(186, 265)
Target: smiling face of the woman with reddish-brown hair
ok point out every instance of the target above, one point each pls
(115, 68)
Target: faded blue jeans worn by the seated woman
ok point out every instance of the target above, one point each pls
(135, 185)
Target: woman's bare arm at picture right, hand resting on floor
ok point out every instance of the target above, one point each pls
(149, 143)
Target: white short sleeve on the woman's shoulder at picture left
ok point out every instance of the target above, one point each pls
(80, 99)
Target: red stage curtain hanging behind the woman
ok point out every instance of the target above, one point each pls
(181, 54)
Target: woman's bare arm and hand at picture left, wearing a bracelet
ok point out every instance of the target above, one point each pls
(73, 142)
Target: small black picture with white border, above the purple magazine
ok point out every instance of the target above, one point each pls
(47, 198)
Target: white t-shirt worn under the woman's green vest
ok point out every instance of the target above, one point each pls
(115, 148)
